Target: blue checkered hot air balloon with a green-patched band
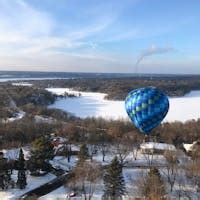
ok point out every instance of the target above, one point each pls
(146, 107)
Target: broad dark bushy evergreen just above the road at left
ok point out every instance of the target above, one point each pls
(41, 153)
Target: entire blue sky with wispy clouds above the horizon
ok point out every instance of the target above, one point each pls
(144, 36)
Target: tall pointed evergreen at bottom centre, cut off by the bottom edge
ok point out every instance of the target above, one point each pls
(114, 185)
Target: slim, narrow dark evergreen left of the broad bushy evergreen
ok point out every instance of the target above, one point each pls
(21, 178)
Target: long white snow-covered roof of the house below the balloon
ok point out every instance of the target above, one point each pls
(158, 146)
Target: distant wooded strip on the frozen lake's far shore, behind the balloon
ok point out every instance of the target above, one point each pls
(117, 88)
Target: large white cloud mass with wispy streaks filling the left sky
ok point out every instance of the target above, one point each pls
(30, 39)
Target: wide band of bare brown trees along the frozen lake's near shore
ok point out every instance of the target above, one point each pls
(91, 130)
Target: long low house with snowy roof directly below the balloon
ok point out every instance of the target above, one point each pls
(158, 148)
